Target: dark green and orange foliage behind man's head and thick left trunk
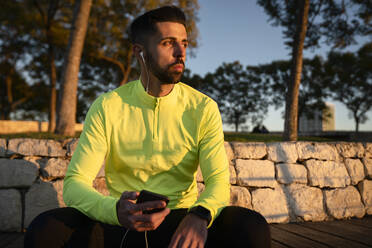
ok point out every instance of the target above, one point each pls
(34, 31)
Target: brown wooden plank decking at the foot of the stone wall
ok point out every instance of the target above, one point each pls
(354, 233)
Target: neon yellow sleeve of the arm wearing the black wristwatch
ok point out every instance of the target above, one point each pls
(213, 162)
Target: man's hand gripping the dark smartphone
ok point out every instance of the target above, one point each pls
(130, 214)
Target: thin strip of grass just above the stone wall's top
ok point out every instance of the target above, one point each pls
(229, 136)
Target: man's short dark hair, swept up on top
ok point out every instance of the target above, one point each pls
(144, 26)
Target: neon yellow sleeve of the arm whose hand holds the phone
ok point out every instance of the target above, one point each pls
(86, 161)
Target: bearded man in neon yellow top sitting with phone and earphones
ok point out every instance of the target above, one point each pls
(152, 134)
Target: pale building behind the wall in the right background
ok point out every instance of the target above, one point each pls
(322, 121)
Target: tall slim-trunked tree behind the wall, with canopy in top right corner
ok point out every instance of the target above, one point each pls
(305, 23)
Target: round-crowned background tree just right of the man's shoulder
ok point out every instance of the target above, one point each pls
(240, 96)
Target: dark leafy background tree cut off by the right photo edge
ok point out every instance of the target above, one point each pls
(350, 81)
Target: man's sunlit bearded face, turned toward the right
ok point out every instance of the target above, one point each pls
(166, 52)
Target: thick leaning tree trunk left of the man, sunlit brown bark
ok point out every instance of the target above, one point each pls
(67, 111)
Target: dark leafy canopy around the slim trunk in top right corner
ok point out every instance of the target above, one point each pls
(338, 22)
